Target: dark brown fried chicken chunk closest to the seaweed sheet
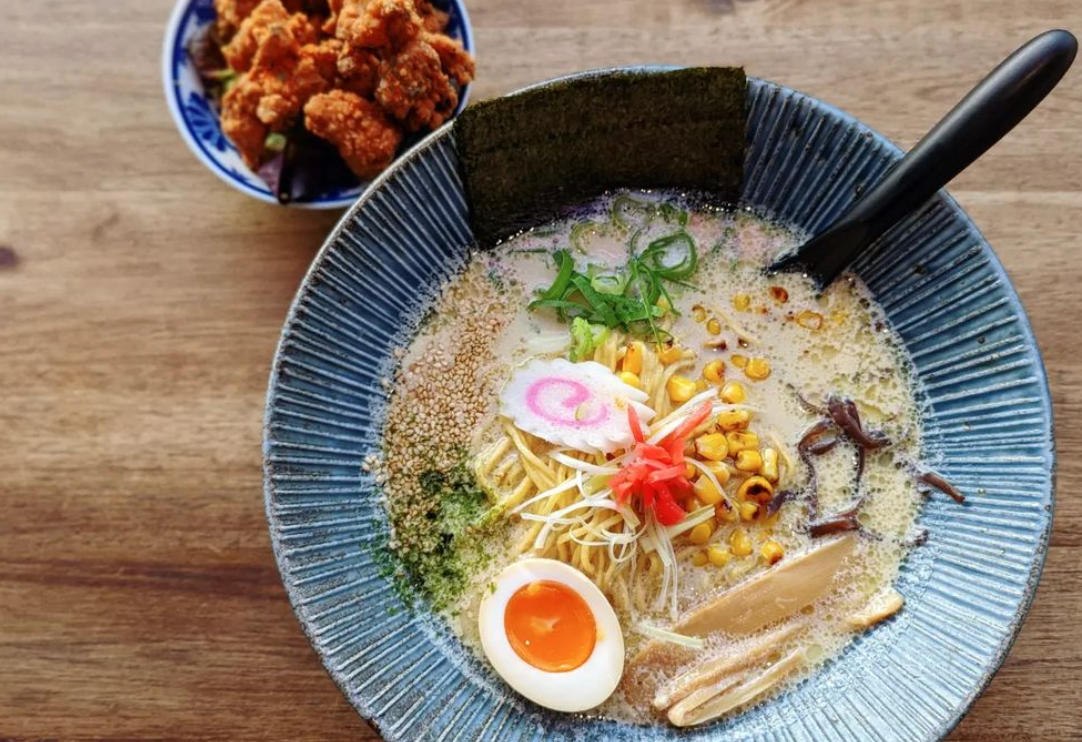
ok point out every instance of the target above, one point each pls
(415, 89)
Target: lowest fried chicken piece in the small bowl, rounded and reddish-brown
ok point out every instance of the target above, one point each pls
(364, 136)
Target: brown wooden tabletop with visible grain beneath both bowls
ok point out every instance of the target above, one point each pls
(141, 301)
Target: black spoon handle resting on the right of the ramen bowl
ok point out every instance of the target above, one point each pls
(980, 121)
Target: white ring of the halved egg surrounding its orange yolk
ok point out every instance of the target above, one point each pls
(575, 691)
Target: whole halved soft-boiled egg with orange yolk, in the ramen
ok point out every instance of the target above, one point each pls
(551, 634)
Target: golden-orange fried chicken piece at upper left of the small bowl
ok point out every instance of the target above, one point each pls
(269, 32)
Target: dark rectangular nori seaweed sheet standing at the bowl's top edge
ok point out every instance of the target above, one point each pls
(526, 158)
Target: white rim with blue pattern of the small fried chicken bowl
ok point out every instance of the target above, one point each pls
(197, 121)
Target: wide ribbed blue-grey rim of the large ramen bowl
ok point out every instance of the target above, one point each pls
(987, 427)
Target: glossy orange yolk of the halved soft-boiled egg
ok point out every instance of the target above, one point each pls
(550, 627)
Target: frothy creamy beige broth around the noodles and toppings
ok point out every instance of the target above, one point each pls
(444, 413)
